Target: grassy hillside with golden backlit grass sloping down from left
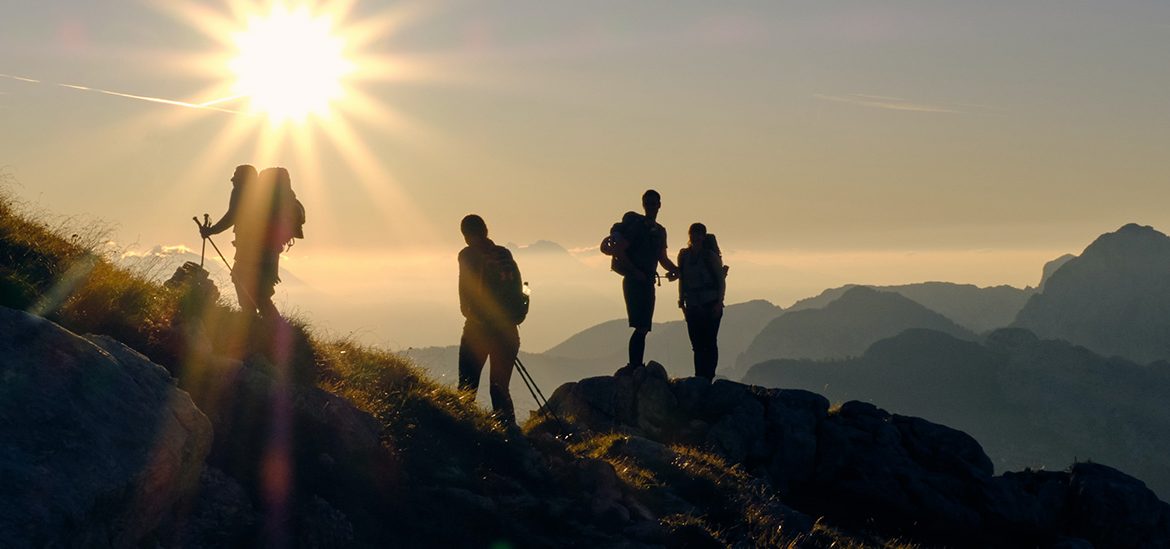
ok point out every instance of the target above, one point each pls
(378, 454)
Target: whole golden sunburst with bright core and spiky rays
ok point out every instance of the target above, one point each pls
(272, 57)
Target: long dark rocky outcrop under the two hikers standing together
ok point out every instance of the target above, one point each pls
(861, 466)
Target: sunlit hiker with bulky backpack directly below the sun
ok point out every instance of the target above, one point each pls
(266, 217)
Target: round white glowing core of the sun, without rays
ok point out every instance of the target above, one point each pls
(291, 65)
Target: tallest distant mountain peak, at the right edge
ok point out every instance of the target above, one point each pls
(1113, 299)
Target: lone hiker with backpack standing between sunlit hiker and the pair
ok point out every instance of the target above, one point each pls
(490, 293)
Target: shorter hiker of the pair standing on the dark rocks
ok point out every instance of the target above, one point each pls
(703, 285)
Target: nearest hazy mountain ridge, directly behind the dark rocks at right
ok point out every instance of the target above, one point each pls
(1030, 402)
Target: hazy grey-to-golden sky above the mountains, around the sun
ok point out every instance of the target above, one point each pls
(979, 138)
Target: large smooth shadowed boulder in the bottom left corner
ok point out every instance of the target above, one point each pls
(98, 445)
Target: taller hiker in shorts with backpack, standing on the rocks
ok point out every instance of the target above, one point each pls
(638, 245)
